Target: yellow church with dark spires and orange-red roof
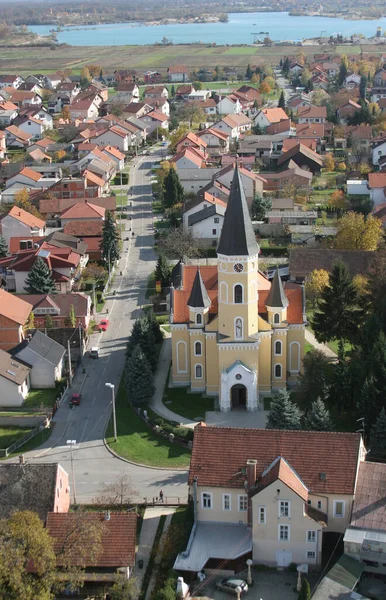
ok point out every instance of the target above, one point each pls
(235, 334)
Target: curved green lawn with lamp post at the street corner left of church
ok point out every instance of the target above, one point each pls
(137, 442)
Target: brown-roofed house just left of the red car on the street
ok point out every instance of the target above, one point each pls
(57, 306)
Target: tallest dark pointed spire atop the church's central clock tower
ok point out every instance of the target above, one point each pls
(237, 235)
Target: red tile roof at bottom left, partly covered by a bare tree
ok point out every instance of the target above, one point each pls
(117, 541)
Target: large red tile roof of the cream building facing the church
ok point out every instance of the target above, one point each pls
(219, 454)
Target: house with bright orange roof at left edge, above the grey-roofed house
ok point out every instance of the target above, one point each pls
(14, 316)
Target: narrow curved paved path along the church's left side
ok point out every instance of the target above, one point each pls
(160, 379)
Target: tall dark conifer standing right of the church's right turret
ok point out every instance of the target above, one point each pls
(338, 315)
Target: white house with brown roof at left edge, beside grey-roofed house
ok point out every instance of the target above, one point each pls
(14, 380)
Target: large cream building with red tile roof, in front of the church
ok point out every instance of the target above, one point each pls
(268, 495)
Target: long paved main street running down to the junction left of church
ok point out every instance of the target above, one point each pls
(93, 463)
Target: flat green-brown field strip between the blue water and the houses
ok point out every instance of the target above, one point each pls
(29, 59)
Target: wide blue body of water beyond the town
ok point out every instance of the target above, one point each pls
(242, 28)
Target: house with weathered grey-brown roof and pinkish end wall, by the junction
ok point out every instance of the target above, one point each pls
(39, 487)
